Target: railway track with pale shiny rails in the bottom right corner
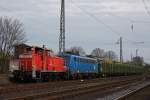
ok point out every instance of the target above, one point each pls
(124, 92)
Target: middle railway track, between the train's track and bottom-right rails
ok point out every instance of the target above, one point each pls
(74, 90)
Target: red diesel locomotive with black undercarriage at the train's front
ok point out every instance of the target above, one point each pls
(38, 64)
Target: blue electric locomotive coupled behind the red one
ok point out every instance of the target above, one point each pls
(80, 67)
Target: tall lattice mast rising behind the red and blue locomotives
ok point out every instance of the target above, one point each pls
(62, 28)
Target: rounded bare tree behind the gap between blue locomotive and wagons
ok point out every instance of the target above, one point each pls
(97, 52)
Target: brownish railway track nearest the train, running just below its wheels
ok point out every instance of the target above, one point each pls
(26, 87)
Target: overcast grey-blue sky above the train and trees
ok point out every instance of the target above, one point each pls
(89, 23)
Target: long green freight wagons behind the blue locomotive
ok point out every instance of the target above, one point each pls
(109, 68)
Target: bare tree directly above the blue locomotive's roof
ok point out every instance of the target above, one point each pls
(76, 50)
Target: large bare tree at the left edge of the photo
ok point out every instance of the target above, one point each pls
(11, 33)
